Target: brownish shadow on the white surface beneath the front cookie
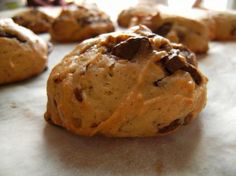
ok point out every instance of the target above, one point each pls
(122, 156)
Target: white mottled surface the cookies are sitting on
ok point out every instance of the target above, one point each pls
(29, 146)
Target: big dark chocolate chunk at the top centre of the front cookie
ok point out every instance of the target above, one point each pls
(130, 47)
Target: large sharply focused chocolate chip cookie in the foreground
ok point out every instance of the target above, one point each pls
(126, 84)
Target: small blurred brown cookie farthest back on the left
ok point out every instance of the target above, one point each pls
(34, 19)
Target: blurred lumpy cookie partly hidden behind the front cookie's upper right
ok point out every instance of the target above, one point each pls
(176, 28)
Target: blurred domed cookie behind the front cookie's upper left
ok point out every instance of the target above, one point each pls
(80, 22)
